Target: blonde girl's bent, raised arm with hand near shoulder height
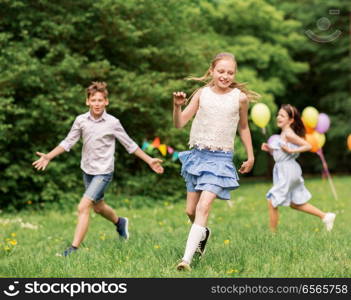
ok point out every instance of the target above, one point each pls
(181, 118)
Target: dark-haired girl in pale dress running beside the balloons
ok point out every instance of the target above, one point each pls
(288, 185)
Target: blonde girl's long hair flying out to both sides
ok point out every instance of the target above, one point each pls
(207, 78)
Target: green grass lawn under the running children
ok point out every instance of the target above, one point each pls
(240, 246)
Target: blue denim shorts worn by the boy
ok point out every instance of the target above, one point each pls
(95, 185)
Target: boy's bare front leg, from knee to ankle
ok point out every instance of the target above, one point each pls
(83, 221)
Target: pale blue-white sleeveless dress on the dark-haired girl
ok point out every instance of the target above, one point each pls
(288, 184)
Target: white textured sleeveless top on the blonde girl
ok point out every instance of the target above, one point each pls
(216, 121)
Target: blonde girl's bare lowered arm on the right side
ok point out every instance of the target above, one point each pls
(245, 135)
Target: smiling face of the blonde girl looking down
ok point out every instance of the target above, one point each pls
(223, 74)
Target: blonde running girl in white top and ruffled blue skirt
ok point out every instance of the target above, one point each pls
(220, 107)
